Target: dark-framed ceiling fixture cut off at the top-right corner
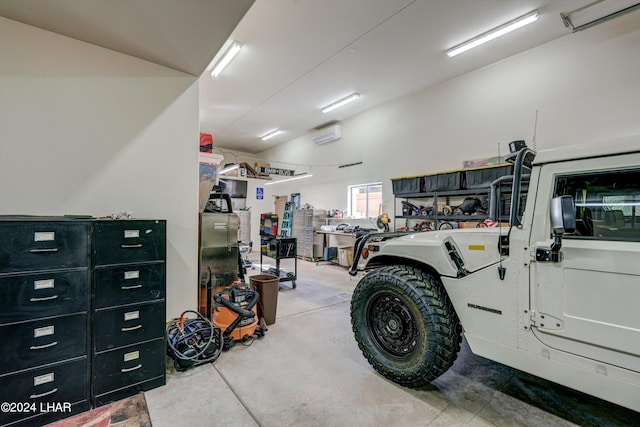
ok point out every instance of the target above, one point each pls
(597, 12)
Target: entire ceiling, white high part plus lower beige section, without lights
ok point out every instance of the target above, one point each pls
(298, 55)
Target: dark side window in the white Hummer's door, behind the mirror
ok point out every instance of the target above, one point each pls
(607, 203)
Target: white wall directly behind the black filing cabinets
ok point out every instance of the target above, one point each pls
(85, 130)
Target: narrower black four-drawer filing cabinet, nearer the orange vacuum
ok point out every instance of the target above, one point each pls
(128, 349)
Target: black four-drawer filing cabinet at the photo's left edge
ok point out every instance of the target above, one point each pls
(44, 319)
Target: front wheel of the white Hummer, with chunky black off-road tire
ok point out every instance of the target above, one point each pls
(405, 325)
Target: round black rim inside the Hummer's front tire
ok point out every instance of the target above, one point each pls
(392, 324)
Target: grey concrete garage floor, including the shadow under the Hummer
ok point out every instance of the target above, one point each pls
(308, 371)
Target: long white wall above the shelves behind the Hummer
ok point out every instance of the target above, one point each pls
(585, 87)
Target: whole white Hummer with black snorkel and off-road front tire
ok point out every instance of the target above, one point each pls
(555, 294)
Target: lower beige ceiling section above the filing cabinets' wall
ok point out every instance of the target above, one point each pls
(179, 34)
